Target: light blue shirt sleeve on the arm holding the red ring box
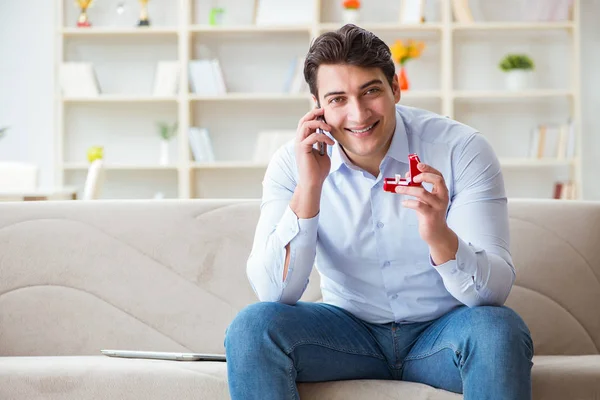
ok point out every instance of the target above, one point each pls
(482, 272)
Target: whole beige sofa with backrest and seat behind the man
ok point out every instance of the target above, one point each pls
(77, 277)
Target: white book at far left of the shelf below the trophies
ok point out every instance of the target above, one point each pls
(78, 79)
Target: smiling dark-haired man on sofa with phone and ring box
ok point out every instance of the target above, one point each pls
(413, 282)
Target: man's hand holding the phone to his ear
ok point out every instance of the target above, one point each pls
(313, 168)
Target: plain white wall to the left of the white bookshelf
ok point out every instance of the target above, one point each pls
(26, 83)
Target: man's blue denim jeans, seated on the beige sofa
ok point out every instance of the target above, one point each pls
(483, 352)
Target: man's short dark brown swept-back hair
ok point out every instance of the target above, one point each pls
(348, 45)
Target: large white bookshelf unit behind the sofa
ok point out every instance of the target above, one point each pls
(457, 76)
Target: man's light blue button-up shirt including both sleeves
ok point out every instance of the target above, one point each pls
(366, 245)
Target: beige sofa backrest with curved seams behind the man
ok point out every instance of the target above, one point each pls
(169, 275)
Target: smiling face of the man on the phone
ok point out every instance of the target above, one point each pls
(360, 107)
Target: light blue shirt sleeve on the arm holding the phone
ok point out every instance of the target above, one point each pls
(277, 227)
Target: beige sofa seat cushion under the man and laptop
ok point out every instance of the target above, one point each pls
(99, 377)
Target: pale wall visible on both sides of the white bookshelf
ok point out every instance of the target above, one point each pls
(26, 86)
